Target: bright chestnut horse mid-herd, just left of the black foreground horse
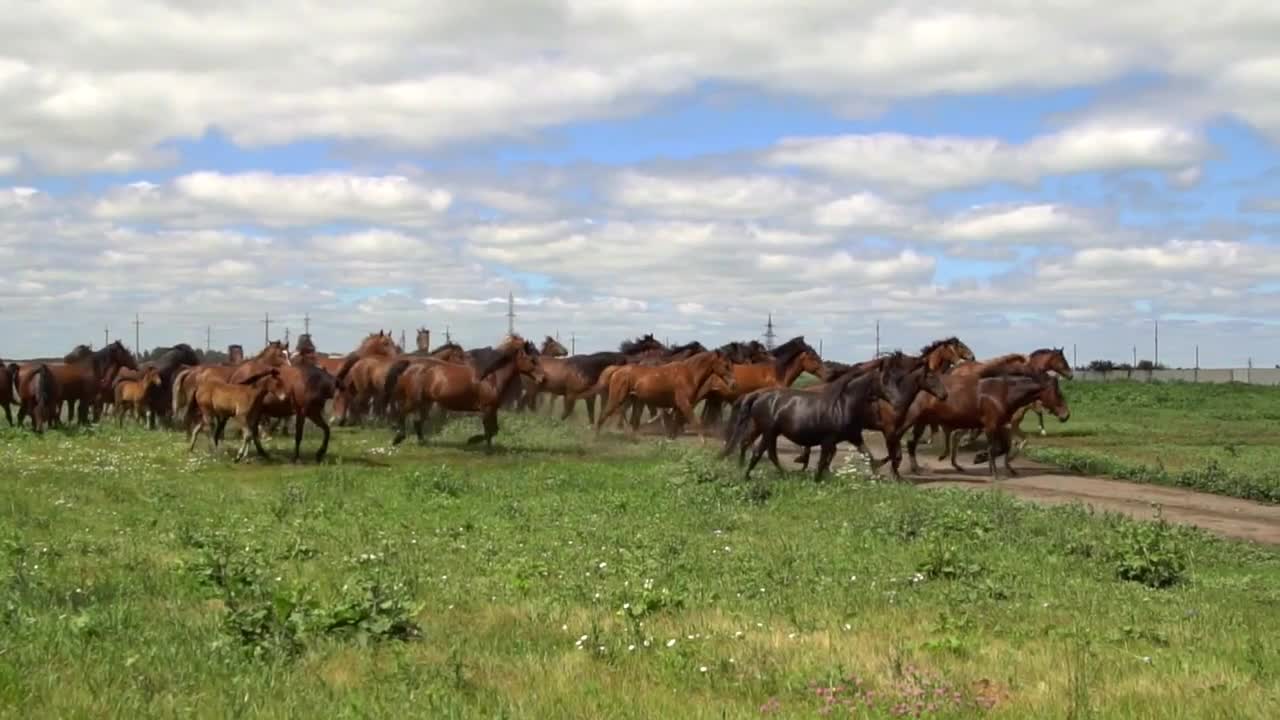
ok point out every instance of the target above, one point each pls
(673, 385)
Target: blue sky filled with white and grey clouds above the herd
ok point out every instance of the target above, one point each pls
(1017, 175)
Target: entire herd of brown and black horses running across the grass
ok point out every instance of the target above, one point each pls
(944, 388)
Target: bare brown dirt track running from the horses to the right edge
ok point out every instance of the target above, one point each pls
(1228, 517)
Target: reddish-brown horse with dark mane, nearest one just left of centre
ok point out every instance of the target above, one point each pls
(477, 386)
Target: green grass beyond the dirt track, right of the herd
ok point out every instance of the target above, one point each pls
(1223, 439)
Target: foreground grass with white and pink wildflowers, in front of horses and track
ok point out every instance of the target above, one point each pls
(561, 577)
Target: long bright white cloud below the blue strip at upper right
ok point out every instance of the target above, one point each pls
(921, 165)
